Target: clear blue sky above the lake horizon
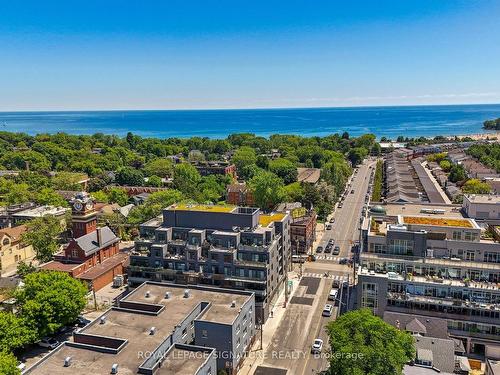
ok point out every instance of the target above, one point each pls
(245, 54)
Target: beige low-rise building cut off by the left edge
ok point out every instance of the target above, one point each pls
(12, 250)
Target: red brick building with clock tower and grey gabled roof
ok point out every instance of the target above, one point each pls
(93, 254)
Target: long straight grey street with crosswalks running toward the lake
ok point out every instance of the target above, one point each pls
(290, 348)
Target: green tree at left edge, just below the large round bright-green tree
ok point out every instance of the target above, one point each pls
(14, 332)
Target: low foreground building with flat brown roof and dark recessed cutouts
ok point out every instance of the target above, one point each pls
(161, 329)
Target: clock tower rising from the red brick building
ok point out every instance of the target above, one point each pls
(83, 214)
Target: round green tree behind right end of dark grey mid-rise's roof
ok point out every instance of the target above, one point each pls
(267, 189)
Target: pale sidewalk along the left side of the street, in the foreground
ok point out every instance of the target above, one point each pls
(255, 355)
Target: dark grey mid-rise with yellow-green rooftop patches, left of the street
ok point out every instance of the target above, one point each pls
(225, 246)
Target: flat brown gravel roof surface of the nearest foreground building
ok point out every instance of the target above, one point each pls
(135, 327)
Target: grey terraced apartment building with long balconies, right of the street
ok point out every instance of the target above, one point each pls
(429, 260)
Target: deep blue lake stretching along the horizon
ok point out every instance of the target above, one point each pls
(391, 122)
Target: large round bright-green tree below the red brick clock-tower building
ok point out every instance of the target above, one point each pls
(50, 300)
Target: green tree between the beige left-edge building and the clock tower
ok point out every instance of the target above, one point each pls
(43, 234)
